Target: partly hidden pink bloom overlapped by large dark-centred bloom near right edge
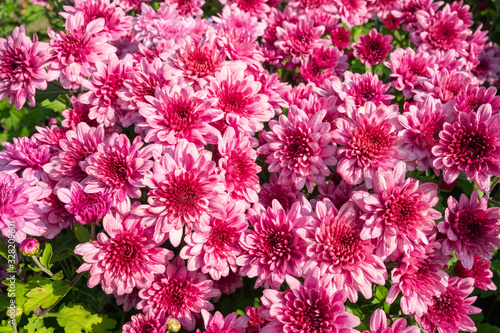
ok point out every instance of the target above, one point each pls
(421, 126)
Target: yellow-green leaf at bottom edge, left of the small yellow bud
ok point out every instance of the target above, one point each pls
(75, 318)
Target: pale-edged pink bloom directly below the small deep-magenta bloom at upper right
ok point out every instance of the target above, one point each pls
(358, 89)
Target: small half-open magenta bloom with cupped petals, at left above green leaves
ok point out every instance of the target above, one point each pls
(85, 207)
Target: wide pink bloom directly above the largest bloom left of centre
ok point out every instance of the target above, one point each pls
(177, 113)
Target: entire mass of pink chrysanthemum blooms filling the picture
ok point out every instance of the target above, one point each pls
(201, 169)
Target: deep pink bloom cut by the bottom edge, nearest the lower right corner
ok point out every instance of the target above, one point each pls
(449, 311)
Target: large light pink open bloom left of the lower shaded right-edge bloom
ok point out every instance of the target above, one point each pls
(399, 214)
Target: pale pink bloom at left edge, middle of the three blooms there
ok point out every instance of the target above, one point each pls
(26, 154)
